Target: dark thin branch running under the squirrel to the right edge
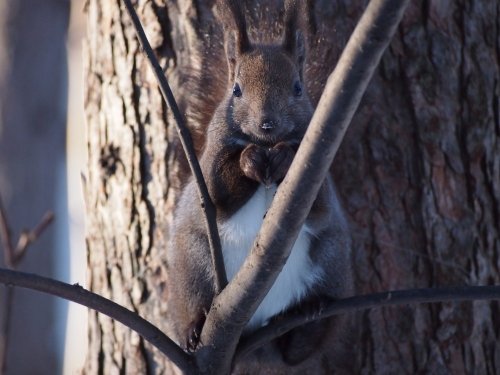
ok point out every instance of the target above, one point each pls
(369, 301)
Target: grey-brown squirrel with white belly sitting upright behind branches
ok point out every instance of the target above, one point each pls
(251, 141)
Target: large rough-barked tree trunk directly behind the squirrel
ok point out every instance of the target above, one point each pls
(419, 173)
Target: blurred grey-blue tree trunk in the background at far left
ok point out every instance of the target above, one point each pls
(33, 109)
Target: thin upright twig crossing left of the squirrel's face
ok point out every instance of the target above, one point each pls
(187, 144)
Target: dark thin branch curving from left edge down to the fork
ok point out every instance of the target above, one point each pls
(78, 294)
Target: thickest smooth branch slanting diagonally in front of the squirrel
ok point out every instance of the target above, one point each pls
(233, 308)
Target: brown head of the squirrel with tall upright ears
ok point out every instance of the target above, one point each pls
(266, 96)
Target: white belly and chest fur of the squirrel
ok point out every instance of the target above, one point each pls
(237, 236)
